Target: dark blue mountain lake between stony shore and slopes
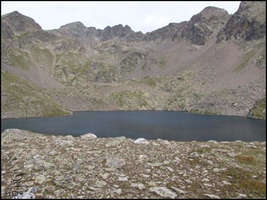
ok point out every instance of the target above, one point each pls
(169, 125)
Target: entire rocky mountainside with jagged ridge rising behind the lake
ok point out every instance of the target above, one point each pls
(182, 66)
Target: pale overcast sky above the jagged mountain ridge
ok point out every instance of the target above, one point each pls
(139, 15)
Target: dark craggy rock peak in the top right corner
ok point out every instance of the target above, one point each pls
(248, 23)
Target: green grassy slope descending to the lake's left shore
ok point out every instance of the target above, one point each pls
(26, 99)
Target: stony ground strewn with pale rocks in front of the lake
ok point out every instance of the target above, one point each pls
(46, 166)
